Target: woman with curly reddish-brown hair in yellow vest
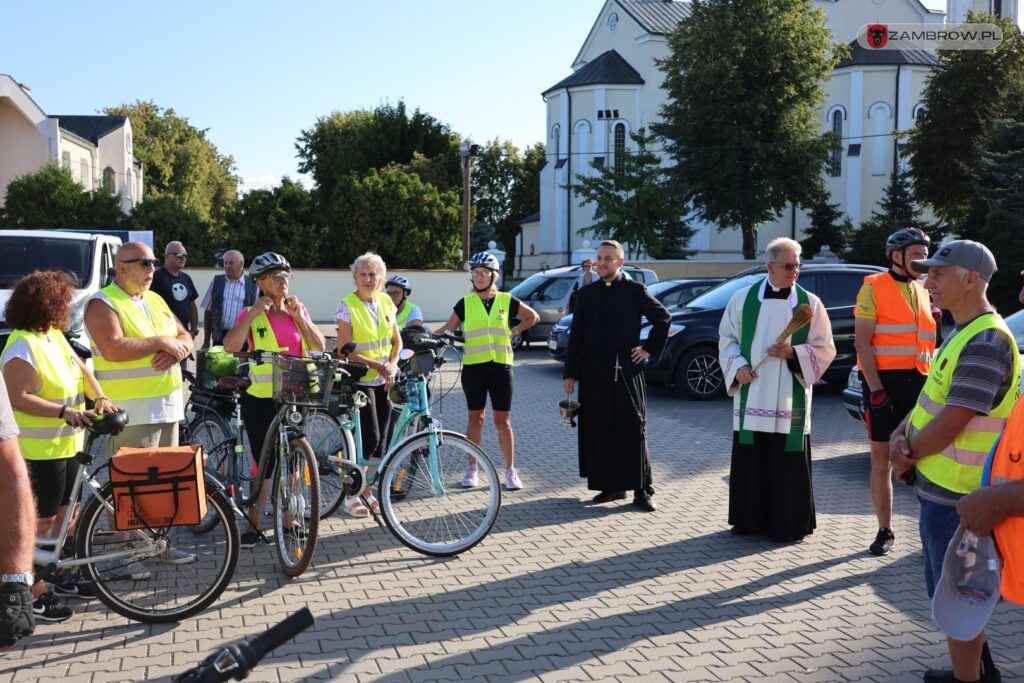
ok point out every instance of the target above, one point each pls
(49, 386)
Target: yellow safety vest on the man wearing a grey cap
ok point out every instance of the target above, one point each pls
(958, 467)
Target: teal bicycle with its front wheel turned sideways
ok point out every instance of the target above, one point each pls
(420, 479)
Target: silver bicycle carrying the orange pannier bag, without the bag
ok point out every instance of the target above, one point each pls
(130, 570)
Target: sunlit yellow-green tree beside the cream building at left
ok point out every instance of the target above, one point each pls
(180, 161)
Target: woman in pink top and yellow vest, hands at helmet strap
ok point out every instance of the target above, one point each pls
(277, 322)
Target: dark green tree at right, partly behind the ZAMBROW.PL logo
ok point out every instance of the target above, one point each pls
(966, 93)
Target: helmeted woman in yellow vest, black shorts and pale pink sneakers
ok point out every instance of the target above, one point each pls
(485, 316)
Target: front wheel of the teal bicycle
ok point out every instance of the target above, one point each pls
(447, 520)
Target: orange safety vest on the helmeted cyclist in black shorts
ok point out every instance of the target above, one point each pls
(901, 340)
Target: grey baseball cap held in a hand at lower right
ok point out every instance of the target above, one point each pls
(969, 588)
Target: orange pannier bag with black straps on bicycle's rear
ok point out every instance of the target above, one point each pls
(158, 488)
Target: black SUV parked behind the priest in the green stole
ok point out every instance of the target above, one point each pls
(691, 360)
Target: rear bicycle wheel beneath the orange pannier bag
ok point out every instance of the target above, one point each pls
(166, 576)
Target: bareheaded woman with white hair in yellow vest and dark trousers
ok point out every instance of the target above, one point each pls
(368, 318)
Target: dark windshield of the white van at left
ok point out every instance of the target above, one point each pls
(20, 257)
